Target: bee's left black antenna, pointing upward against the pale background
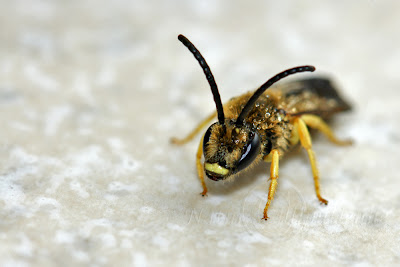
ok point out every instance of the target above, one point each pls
(209, 76)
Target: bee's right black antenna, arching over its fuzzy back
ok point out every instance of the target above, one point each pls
(268, 84)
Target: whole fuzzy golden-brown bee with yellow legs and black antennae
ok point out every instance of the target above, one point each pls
(264, 125)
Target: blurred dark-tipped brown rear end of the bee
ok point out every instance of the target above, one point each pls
(312, 96)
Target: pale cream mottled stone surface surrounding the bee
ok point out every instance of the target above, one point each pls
(91, 92)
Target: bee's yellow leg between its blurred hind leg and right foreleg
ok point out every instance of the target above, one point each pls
(305, 141)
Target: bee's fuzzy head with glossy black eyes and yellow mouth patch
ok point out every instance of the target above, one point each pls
(228, 149)
